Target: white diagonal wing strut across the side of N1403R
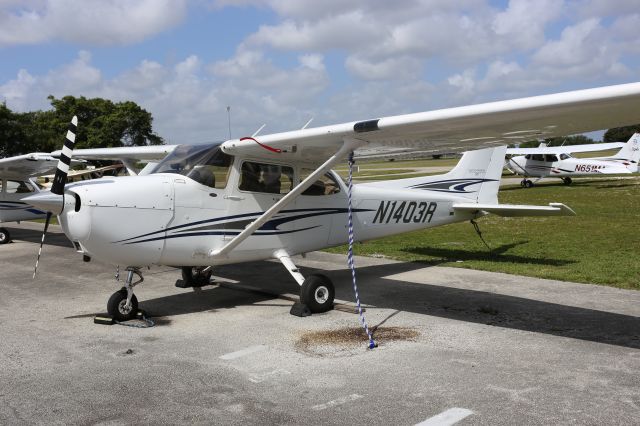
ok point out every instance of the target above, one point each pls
(349, 144)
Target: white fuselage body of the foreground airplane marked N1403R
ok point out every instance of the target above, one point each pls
(178, 219)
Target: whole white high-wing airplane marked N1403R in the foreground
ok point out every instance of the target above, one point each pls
(247, 199)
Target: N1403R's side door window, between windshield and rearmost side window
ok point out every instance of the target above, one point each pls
(267, 178)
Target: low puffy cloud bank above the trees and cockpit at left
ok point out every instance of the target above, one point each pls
(188, 100)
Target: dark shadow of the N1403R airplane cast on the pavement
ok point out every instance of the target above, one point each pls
(428, 299)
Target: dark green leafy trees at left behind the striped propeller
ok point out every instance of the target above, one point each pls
(103, 124)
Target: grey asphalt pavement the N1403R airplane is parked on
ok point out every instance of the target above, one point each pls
(454, 346)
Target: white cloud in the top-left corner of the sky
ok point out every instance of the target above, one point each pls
(93, 22)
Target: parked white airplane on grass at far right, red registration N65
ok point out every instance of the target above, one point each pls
(557, 161)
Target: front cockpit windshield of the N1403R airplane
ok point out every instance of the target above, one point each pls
(206, 164)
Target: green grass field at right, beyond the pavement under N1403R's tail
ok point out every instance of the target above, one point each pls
(600, 245)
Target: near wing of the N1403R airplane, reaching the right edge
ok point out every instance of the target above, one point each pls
(461, 128)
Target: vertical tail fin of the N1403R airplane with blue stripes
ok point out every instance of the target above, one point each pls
(476, 177)
